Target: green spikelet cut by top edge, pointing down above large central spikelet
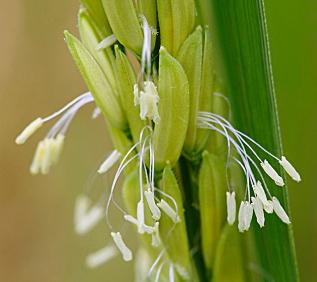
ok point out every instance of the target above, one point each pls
(177, 21)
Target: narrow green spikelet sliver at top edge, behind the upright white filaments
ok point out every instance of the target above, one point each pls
(148, 9)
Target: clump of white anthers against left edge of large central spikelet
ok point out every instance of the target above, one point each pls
(148, 102)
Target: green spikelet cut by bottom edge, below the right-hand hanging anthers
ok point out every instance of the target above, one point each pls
(229, 255)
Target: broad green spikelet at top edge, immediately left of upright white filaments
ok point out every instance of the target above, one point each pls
(119, 13)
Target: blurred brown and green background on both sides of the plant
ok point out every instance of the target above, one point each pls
(38, 76)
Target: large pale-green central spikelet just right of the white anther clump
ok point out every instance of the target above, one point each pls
(173, 108)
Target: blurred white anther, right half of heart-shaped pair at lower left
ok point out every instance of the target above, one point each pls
(89, 220)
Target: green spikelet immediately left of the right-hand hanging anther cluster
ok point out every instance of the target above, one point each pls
(212, 202)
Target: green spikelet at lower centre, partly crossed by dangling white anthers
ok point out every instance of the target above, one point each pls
(177, 241)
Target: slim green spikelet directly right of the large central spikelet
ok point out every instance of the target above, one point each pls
(190, 57)
